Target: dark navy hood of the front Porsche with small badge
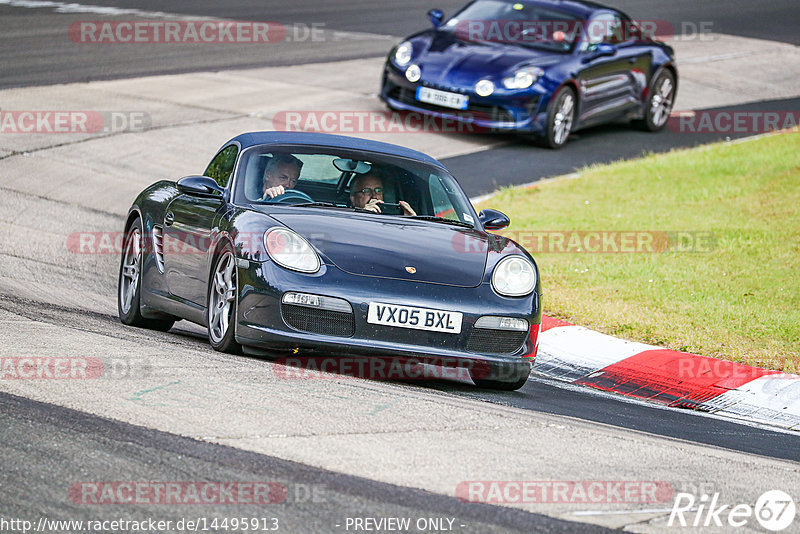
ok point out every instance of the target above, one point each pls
(389, 247)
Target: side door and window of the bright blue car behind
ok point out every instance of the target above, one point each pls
(608, 79)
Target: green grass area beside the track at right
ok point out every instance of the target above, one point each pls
(737, 300)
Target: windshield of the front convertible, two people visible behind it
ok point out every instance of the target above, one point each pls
(322, 177)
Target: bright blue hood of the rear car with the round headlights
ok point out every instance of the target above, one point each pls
(451, 61)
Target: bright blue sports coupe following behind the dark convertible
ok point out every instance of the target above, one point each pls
(541, 67)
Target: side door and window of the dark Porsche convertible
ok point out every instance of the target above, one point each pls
(189, 222)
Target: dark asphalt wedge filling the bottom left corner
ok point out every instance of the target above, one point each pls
(39, 437)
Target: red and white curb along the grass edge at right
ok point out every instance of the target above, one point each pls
(584, 357)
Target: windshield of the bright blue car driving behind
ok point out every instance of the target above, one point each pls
(517, 23)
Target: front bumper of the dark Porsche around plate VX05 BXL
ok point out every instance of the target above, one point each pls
(262, 319)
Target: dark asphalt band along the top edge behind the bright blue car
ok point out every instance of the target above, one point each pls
(35, 48)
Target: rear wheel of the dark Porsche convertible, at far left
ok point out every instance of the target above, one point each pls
(129, 286)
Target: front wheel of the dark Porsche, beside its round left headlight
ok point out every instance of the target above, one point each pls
(222, 303)
